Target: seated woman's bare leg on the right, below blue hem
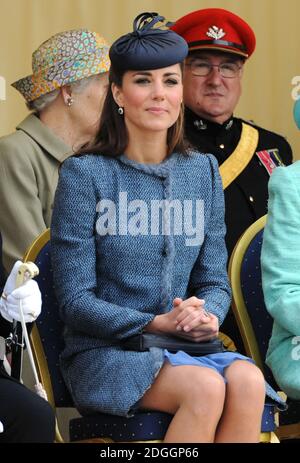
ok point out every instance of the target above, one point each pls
(244, 403)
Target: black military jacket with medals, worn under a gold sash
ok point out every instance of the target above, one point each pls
(246, 198)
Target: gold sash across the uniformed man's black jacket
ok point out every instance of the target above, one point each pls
(241, 156)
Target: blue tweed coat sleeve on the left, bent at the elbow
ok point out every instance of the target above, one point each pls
(74, 256)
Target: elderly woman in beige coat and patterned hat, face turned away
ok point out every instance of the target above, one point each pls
(65, 94)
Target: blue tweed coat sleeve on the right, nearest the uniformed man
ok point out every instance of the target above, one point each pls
(209, 278)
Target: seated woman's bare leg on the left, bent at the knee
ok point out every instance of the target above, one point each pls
(195, 395)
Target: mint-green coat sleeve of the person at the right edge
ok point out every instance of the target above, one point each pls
(280, 251)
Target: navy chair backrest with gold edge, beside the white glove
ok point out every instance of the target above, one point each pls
(46, 336)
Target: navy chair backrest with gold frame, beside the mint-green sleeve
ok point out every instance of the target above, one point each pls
(254, 321)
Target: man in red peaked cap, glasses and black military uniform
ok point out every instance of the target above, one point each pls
(220, 43)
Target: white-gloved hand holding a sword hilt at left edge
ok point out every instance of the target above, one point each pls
(28, 293)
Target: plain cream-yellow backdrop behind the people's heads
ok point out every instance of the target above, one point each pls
(267, 82)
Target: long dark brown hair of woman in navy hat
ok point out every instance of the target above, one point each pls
(112, 136)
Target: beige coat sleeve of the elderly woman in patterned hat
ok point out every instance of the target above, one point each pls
(20, 206)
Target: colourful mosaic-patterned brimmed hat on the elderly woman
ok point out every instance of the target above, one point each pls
(64, 58)
